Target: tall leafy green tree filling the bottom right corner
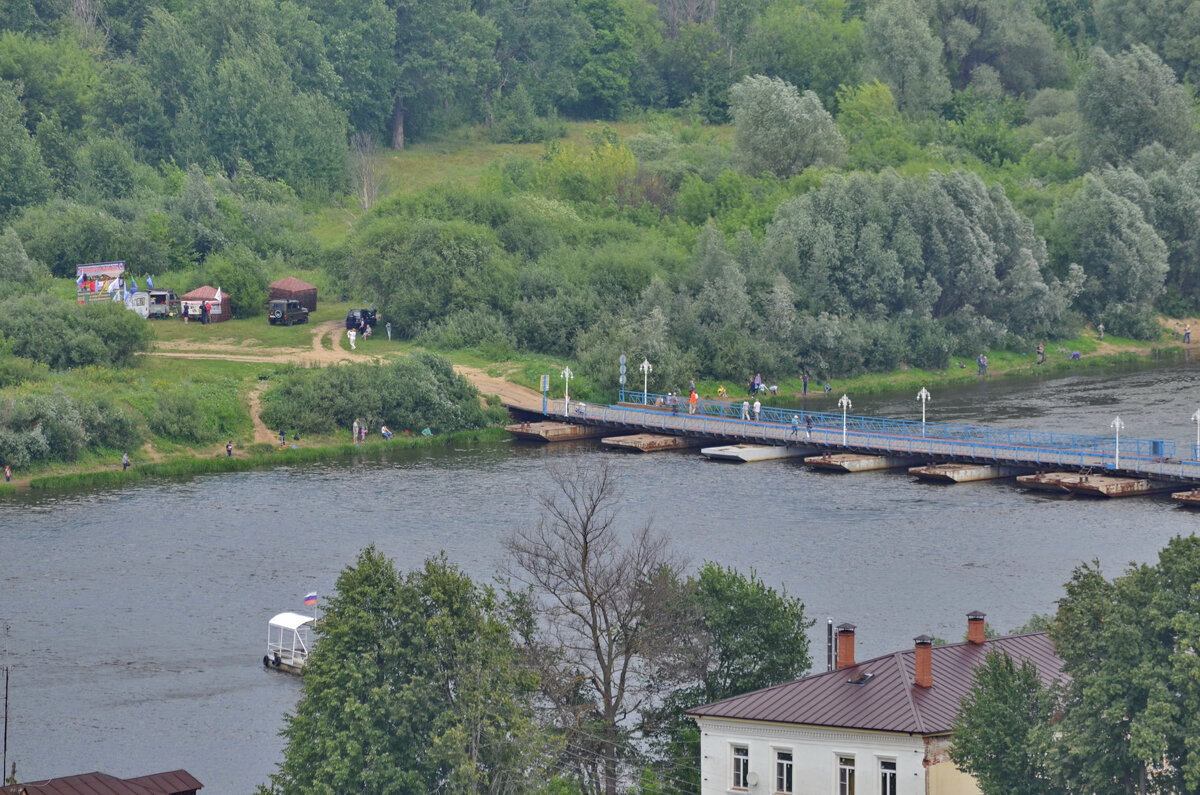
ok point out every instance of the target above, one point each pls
(1132, 708)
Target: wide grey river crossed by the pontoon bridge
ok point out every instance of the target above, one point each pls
(134, 621)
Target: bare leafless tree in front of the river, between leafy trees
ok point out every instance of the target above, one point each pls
(597, 591)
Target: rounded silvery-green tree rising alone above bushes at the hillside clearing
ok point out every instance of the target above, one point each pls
(779, 130)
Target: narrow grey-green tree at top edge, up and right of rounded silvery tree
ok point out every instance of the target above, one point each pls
(904, 53)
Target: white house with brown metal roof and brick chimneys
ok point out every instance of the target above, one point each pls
(881, 727)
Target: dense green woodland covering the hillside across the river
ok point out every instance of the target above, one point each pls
(905, 182)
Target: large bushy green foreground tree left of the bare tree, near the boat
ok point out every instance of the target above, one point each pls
(413, 688)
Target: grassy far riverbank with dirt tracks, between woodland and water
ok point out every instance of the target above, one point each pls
(230, 367)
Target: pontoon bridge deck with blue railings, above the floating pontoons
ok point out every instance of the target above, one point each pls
(881, 437)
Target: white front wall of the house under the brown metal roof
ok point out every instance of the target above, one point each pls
(815, 754)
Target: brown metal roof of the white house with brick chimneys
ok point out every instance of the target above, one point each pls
(887, 701)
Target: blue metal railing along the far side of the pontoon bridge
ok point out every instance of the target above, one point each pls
(995, 438)
